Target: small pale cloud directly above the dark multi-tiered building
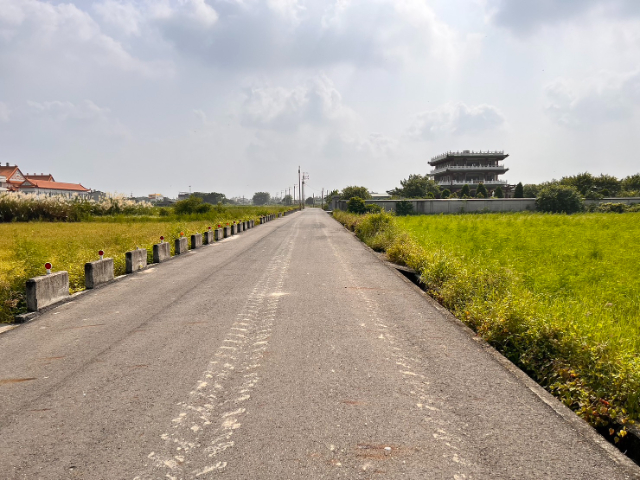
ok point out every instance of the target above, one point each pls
(455, 119)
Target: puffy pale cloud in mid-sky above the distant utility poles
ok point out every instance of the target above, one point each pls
(316, 102)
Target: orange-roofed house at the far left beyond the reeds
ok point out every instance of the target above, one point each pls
(39, 184)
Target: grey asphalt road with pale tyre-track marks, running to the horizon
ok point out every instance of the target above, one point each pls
(289, 351)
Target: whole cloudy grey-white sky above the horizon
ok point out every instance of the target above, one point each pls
(162, 96)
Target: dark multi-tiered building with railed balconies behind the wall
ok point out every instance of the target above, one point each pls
(452, 170)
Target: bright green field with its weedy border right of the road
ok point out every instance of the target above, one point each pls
(558, 295)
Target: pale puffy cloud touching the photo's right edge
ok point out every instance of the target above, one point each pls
(594, 100)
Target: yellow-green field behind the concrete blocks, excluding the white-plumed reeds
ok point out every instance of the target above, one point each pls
(26, 247)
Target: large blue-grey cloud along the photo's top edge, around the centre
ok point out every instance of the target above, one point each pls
(277, 33)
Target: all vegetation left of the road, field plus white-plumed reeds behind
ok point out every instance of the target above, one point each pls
(68, 234)
